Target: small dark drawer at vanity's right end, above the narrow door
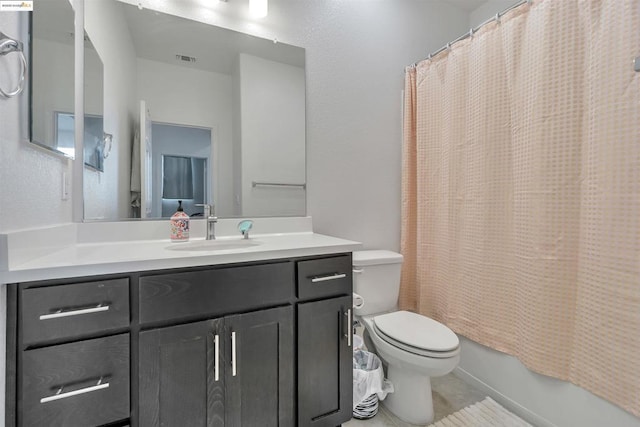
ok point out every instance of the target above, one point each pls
(318, 278)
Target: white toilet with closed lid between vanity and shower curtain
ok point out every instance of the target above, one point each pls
(413, 347)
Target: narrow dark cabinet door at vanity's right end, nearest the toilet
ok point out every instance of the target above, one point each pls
(325, 373)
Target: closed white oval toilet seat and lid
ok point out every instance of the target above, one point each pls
(417, 334)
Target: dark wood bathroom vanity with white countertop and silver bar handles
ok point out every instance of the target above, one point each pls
(261, 342)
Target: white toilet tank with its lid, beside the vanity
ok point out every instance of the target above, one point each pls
(376, 278)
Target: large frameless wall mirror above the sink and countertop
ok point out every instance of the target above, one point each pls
(234, 104)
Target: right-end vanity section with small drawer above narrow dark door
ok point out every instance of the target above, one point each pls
(325, 353)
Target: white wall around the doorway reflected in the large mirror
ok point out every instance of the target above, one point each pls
(202, 99)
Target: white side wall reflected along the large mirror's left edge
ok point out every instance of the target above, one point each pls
(107, 193)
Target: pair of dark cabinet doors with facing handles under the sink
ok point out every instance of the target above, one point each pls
(231, 371)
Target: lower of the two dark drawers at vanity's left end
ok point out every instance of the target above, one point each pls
(93, 375)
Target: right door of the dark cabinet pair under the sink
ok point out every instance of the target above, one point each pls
(259, 374)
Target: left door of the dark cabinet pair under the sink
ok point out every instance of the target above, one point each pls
(178, 384)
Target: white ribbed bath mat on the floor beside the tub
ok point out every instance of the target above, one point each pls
(486, 413)
